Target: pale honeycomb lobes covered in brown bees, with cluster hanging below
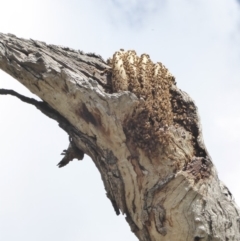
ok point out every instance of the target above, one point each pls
(148, 125)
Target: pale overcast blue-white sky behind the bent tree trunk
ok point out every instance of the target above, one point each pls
(199, 41)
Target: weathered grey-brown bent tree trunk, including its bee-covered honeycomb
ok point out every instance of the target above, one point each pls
(141, 131)
